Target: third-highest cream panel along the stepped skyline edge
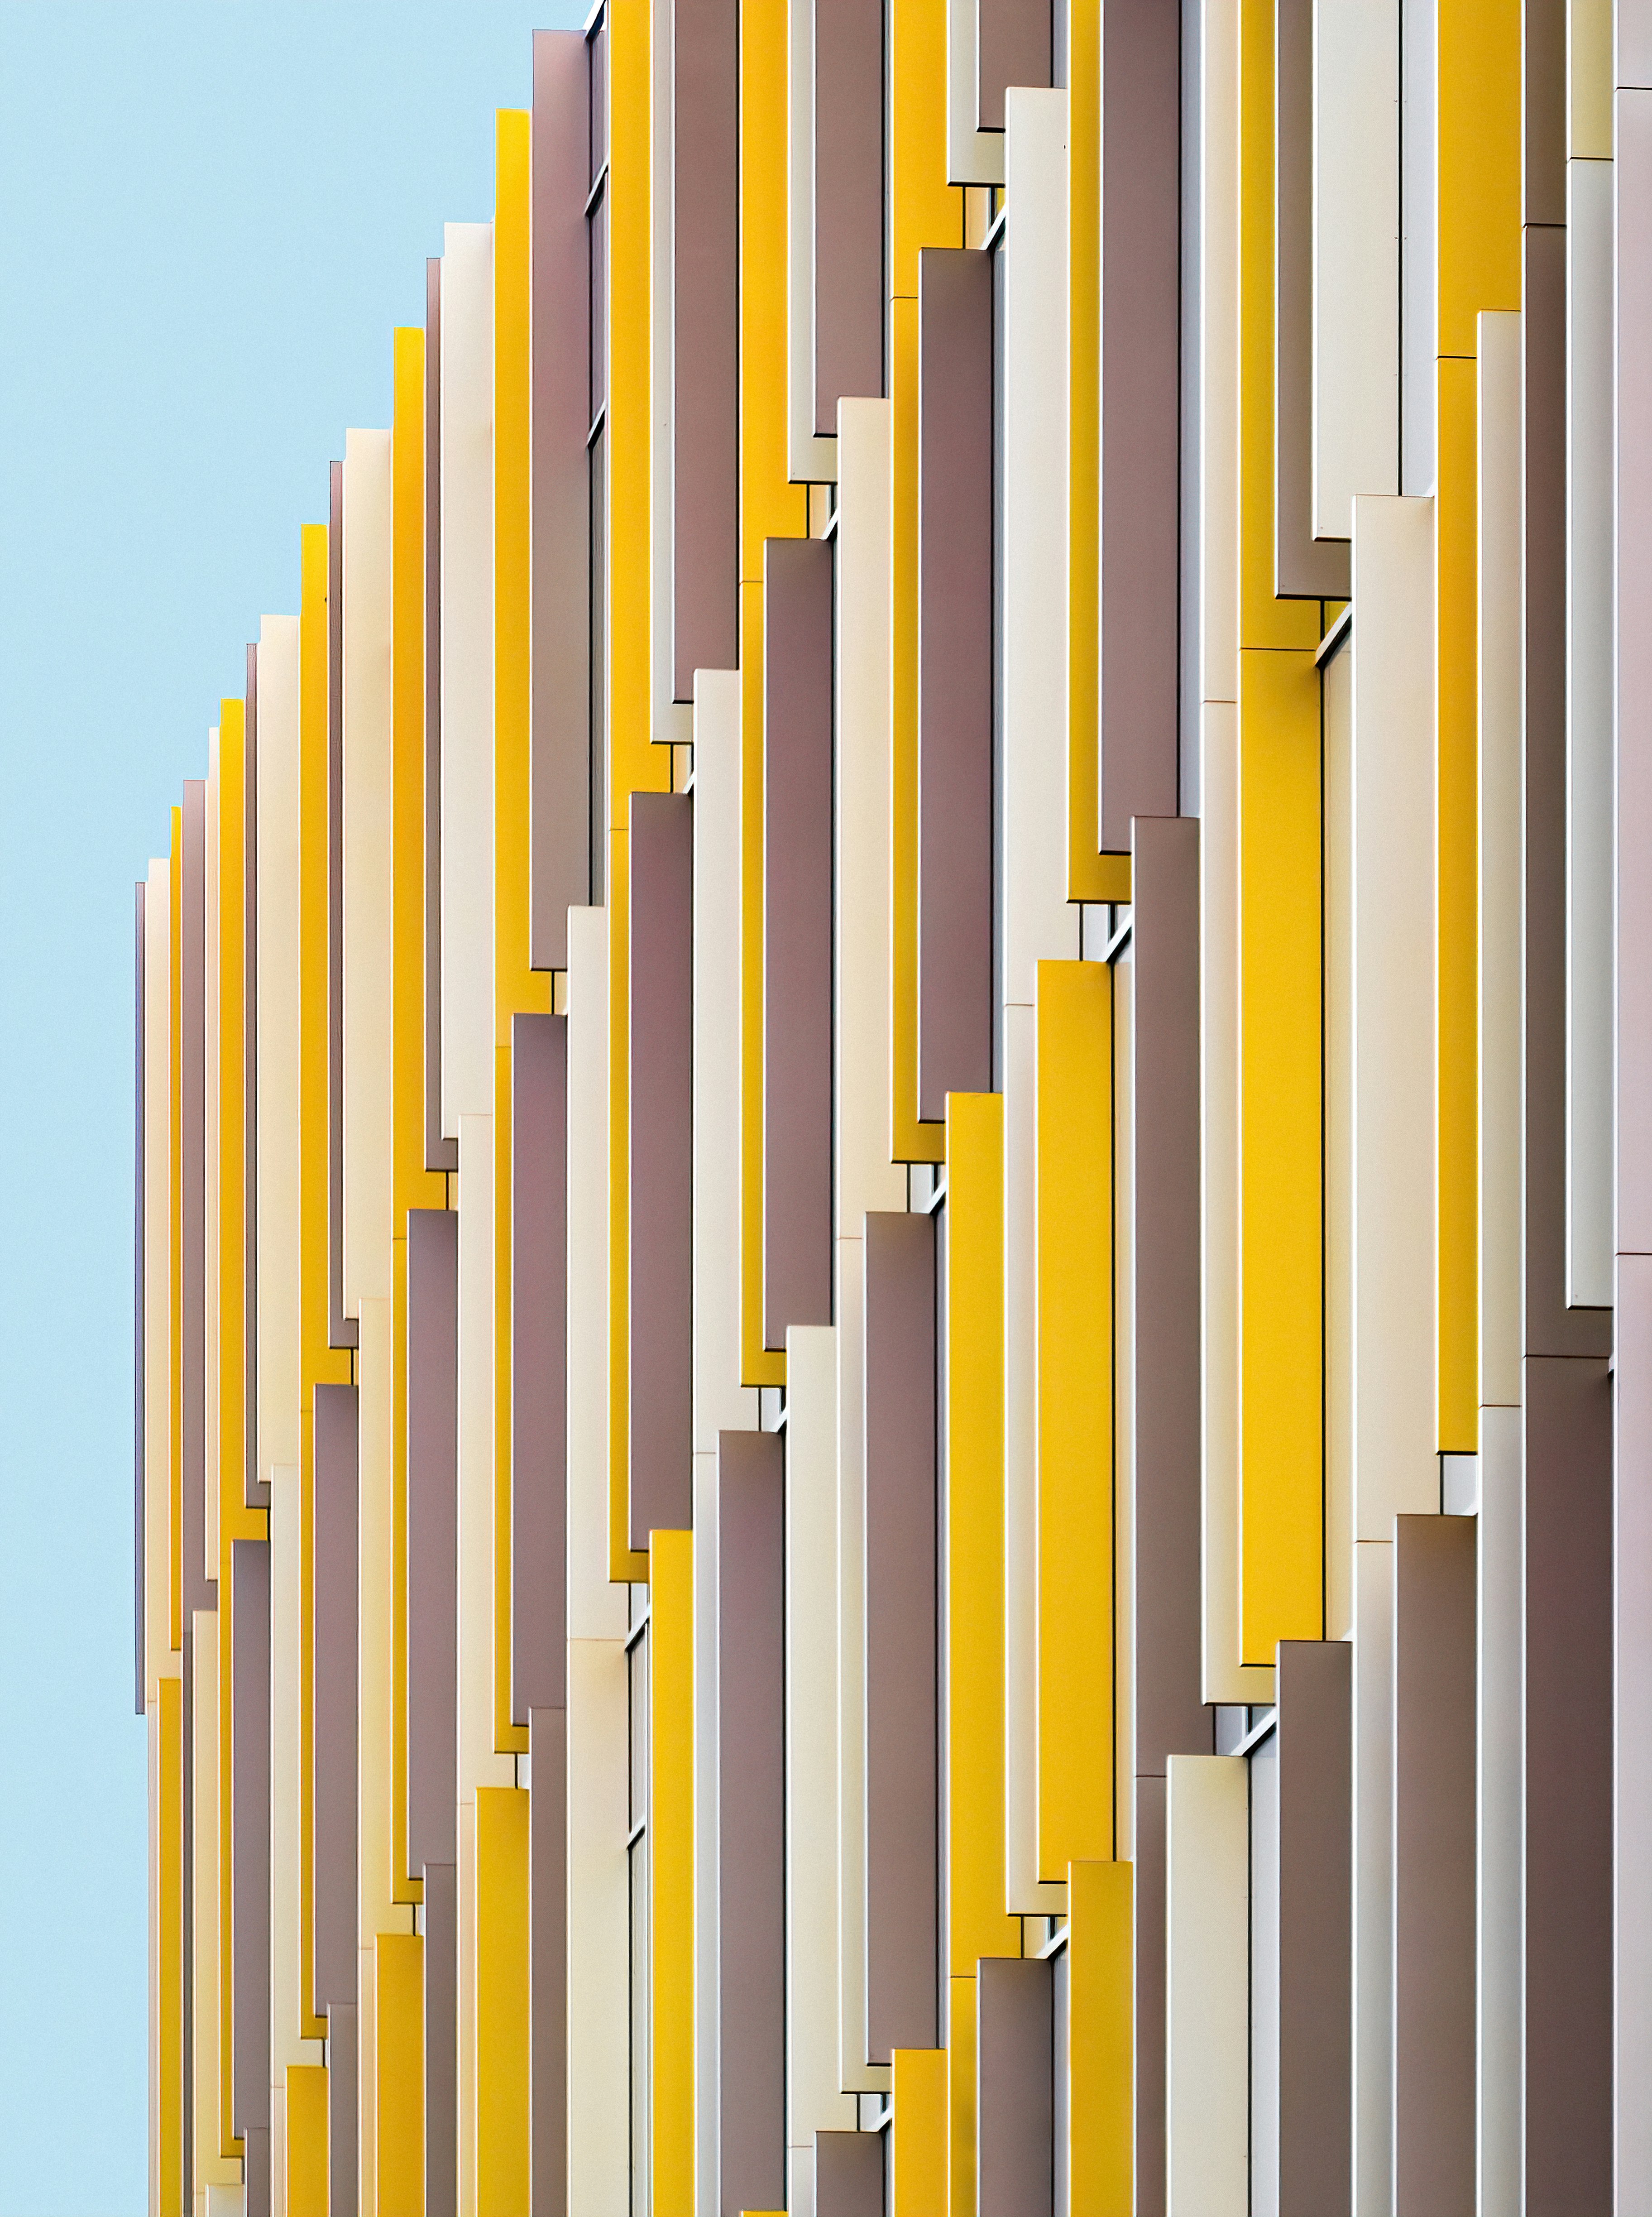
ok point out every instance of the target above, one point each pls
(281, 1396)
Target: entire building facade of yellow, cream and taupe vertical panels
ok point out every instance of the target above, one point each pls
(888, 1141)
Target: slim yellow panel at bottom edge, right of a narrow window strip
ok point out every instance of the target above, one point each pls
(671, 1819)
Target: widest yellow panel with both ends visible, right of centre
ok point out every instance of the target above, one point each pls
(1281, 1158)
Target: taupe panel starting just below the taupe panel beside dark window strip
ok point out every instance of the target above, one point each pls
(538, 1365)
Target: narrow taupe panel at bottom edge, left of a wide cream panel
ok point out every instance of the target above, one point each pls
(549, 1957)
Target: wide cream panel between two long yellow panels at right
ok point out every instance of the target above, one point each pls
(1394, 974)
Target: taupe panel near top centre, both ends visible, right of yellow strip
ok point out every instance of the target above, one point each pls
(955, 675)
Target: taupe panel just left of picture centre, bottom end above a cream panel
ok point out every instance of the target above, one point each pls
(797, 937)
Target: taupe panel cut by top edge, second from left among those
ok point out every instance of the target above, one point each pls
(848, 207)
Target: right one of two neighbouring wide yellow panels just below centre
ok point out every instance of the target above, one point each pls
(1074, 1413)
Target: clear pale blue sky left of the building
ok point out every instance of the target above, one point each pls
(212, 218)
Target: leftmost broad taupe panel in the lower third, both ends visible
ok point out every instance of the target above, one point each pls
(252, 1832)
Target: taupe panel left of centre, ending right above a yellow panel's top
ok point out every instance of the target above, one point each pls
(662, 1165)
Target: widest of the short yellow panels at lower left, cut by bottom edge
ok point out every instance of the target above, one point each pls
(502, 2001)
